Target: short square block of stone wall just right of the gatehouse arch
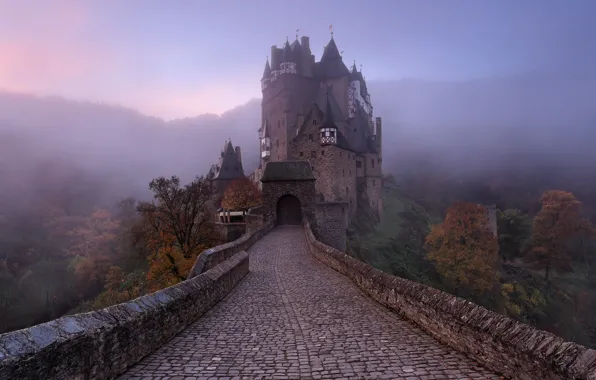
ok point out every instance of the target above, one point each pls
(332, 222)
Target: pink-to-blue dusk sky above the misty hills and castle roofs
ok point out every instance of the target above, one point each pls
(182, 58)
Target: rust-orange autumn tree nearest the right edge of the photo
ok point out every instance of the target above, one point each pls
(558, 221)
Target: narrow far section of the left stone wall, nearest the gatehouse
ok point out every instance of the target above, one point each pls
(211, 257)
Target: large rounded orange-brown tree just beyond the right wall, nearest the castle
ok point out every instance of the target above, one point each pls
(464, 248)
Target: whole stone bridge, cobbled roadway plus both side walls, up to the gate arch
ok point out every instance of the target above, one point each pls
(278, 303)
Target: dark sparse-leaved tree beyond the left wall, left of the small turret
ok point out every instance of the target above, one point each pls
(182, 213)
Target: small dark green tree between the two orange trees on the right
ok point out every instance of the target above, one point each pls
(514, 230)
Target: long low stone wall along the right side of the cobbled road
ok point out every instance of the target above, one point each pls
(502, 344)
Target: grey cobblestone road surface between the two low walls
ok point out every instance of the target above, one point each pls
(294, 318)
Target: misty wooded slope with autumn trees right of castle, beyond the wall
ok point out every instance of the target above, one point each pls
(541, 269)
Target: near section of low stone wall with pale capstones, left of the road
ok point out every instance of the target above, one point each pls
(103, 344)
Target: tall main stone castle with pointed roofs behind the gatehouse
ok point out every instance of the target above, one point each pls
(321, 112)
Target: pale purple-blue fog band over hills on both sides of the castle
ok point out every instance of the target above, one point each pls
(465, 127)
